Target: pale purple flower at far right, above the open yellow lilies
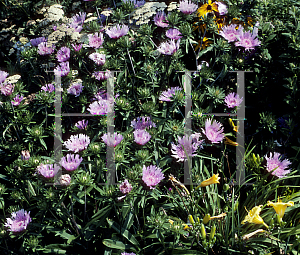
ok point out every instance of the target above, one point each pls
(276, 166)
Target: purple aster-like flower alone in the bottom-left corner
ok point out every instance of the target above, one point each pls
(18, 222)
